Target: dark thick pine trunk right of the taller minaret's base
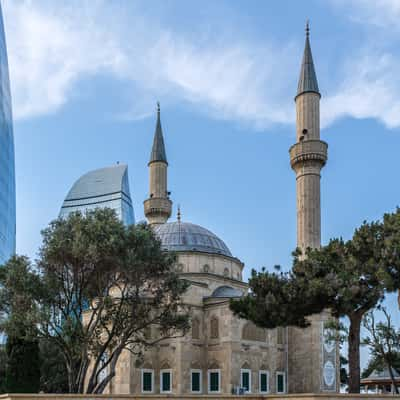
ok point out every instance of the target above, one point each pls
(354, 353)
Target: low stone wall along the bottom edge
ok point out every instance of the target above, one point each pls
(333, 396)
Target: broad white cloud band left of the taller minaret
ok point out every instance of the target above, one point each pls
(53, 46)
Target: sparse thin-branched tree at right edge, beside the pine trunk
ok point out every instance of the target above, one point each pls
(383, 341)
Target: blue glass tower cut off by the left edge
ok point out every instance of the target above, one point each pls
(7, 163)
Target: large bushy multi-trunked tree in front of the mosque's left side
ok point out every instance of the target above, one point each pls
(103, 286)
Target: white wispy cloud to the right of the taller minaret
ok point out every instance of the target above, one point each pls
(369, 83)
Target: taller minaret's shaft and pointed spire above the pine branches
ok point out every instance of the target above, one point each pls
(309, 154)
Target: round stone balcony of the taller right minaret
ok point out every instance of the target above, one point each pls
(309, 150)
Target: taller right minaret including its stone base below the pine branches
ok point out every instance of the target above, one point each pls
(313, 365)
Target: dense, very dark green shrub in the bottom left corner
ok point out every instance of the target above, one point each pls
(23, 366)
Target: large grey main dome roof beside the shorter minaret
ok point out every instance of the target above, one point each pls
(184, 236)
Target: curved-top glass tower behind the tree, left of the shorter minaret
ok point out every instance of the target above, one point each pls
(105, 187)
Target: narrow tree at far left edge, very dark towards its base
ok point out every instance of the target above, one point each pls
(18, 283)
